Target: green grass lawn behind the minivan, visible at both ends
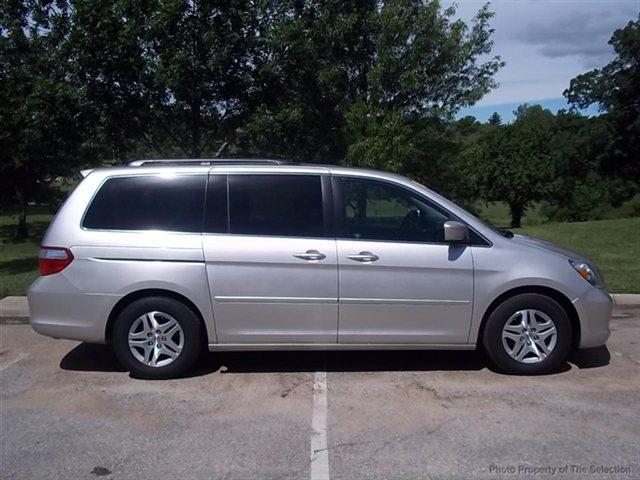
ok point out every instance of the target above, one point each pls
(613, 245)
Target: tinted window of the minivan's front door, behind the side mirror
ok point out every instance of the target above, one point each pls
(380, 211)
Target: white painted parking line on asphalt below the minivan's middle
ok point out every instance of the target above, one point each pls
(319, 452)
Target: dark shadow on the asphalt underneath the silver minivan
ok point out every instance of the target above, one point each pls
(100, 358)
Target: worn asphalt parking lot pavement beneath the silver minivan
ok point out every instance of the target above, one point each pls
(69, 411)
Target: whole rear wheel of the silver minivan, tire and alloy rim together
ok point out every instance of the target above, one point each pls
(157, 337)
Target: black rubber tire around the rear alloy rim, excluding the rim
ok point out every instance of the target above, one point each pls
(191, 328)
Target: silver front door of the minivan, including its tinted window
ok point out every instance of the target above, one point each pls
(399, 281)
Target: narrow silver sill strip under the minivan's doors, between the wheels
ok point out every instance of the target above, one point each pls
(231, 347)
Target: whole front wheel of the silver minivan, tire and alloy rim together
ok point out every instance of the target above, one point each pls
(529, 334)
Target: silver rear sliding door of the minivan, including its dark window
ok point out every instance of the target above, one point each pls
(271, 262)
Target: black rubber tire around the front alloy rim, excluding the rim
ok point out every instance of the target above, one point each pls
(492, 334)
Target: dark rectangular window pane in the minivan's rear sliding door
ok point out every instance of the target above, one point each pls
(287, 205)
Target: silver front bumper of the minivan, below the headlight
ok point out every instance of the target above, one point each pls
(594, 310)
